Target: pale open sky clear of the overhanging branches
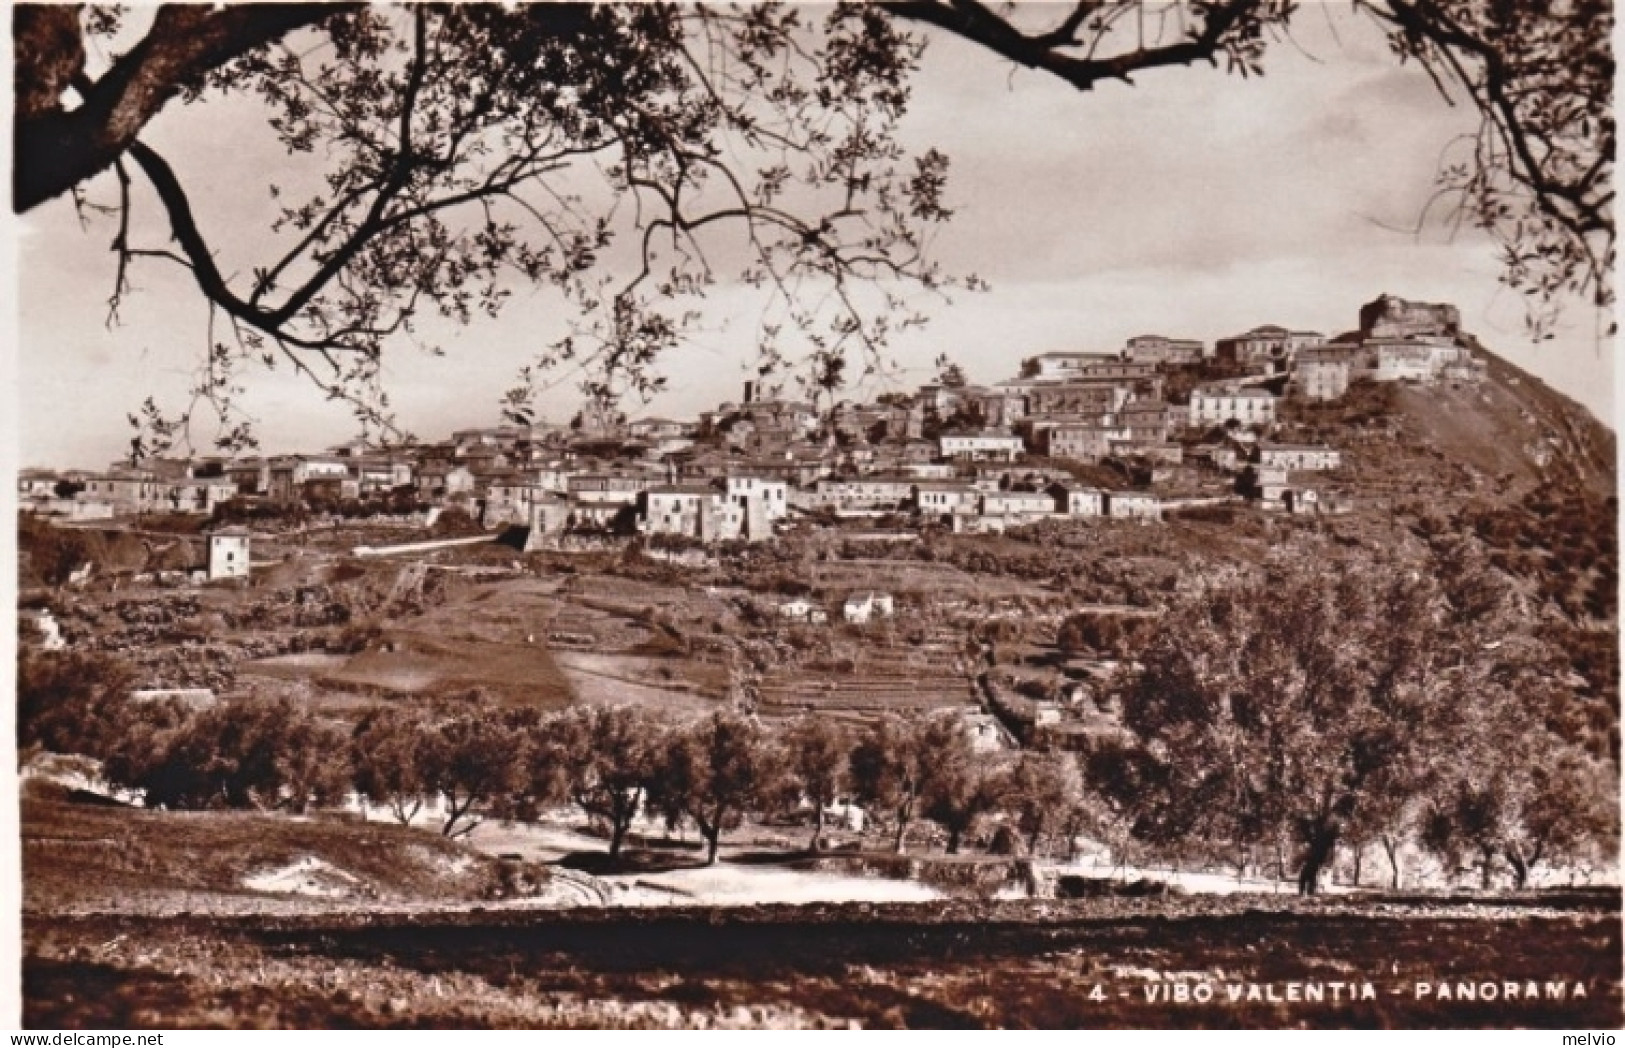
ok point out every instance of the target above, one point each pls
(1194, 204)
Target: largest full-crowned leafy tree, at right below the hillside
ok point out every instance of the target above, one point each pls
(1276, 708)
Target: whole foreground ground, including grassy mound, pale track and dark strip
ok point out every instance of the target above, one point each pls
(145, 919)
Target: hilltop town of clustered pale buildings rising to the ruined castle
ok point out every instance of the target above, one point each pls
(1156, 427)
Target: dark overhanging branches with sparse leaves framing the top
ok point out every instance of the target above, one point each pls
(633, 157)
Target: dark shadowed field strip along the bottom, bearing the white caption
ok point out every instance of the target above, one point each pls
(1242, 963)
